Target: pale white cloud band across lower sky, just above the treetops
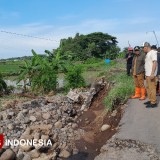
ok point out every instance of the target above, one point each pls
(13, 45)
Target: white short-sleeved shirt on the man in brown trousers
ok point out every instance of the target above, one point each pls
(150, 57)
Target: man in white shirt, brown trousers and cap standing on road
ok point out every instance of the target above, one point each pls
(151, 73)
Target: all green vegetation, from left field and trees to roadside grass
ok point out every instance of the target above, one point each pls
(78, 61)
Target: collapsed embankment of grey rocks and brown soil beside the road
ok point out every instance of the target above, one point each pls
(74, 124)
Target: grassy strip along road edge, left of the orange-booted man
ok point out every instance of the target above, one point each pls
(122, 86)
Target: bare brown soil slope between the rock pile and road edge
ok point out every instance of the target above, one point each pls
(91, 121)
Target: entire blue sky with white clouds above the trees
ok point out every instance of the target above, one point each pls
(128, 20)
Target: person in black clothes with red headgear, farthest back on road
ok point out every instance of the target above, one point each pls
(129, 58)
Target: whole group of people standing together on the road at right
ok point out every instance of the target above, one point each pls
(144, 63)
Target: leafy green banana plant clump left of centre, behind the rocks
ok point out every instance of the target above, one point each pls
(41, 73)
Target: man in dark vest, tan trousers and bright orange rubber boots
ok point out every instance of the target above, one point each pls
(138, 73)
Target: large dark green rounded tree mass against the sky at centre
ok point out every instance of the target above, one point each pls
(82, 47)
